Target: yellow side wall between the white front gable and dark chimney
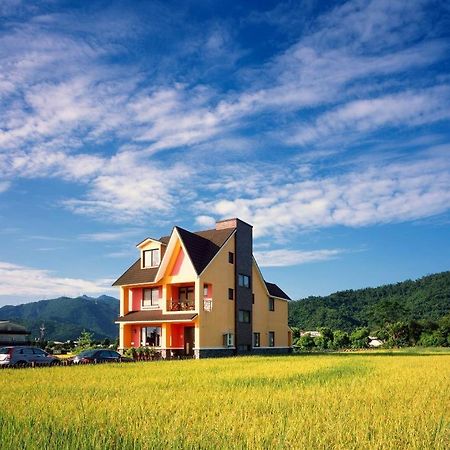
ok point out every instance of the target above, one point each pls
(220, 320)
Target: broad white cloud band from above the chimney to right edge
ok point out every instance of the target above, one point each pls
(382, 193)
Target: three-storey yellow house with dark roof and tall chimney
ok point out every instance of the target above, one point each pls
(202, 294)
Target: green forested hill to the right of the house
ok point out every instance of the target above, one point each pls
(425, 298)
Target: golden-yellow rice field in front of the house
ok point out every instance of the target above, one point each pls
(337, 401)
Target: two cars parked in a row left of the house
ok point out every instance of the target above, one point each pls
(24, 356)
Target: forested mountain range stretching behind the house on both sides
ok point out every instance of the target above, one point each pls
(427, 298)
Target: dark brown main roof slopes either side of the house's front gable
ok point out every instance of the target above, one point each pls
(201, 247)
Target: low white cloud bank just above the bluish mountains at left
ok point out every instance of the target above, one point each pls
(42, 283)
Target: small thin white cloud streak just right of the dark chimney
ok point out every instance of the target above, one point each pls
(286, 257)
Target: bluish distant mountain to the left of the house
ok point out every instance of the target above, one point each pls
(65, 318)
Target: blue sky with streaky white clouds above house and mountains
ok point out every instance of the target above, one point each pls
(325, 125)
